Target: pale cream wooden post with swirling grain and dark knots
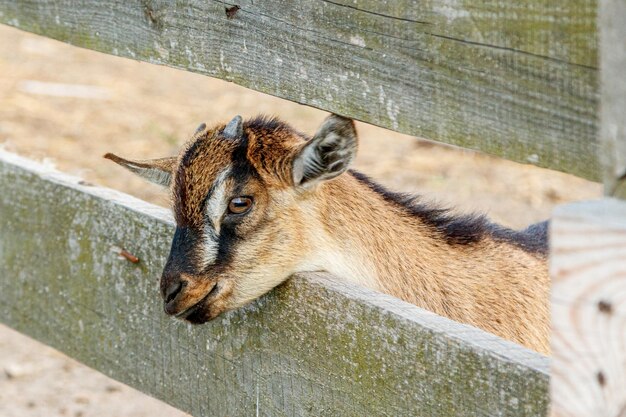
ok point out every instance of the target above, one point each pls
(589, 310)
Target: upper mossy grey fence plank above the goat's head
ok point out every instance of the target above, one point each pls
(514, 79)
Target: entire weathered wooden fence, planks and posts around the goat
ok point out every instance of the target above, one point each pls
(516, 79)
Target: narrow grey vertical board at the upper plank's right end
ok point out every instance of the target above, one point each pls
(613, 95)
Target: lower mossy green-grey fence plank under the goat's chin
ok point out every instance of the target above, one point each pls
(312, 347)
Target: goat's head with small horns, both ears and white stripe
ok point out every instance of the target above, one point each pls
(241, 196)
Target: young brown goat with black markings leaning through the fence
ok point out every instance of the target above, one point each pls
(257, 201)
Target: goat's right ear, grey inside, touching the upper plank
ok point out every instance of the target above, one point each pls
(328, 154)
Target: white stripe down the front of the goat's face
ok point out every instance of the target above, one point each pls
(215, 207)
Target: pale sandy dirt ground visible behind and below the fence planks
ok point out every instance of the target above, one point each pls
(107, 104)
